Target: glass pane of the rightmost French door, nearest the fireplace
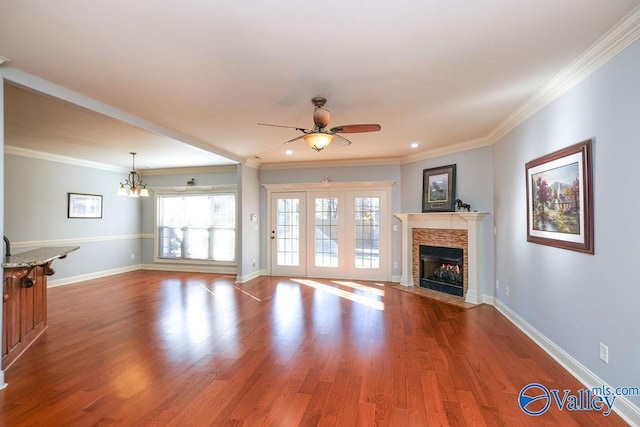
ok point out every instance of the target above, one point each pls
(367, 232)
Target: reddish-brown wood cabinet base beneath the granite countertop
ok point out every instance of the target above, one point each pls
(25, 309)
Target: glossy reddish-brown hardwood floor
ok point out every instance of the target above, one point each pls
(184, 349)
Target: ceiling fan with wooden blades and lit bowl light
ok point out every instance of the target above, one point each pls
(318, 137)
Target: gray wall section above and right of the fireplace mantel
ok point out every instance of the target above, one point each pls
(474, 181)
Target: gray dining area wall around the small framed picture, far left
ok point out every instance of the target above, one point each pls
(35, 214)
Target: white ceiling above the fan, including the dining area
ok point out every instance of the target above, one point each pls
(444, 74)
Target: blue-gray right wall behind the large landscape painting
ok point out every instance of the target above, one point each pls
(578, 300)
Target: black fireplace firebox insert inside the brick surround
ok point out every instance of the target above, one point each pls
(441, 269)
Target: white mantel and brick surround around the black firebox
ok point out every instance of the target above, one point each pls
(447, 229)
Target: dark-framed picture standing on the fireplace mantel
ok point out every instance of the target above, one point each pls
(439, 189)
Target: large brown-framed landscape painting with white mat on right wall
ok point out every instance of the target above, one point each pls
(560, 200)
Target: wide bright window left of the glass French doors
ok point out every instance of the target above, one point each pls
(197, 226)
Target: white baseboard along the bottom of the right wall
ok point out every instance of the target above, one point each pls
(623, 407)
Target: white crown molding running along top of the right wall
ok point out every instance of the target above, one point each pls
(621, 36)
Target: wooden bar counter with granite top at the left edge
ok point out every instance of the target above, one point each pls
(24, 298)
